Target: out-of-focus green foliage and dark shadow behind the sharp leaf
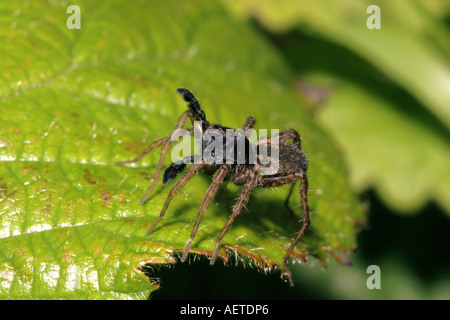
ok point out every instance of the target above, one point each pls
(383, 95)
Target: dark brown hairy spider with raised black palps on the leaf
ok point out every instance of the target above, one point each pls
(292, 166)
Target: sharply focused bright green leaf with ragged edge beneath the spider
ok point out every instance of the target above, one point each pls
(73, 102)
